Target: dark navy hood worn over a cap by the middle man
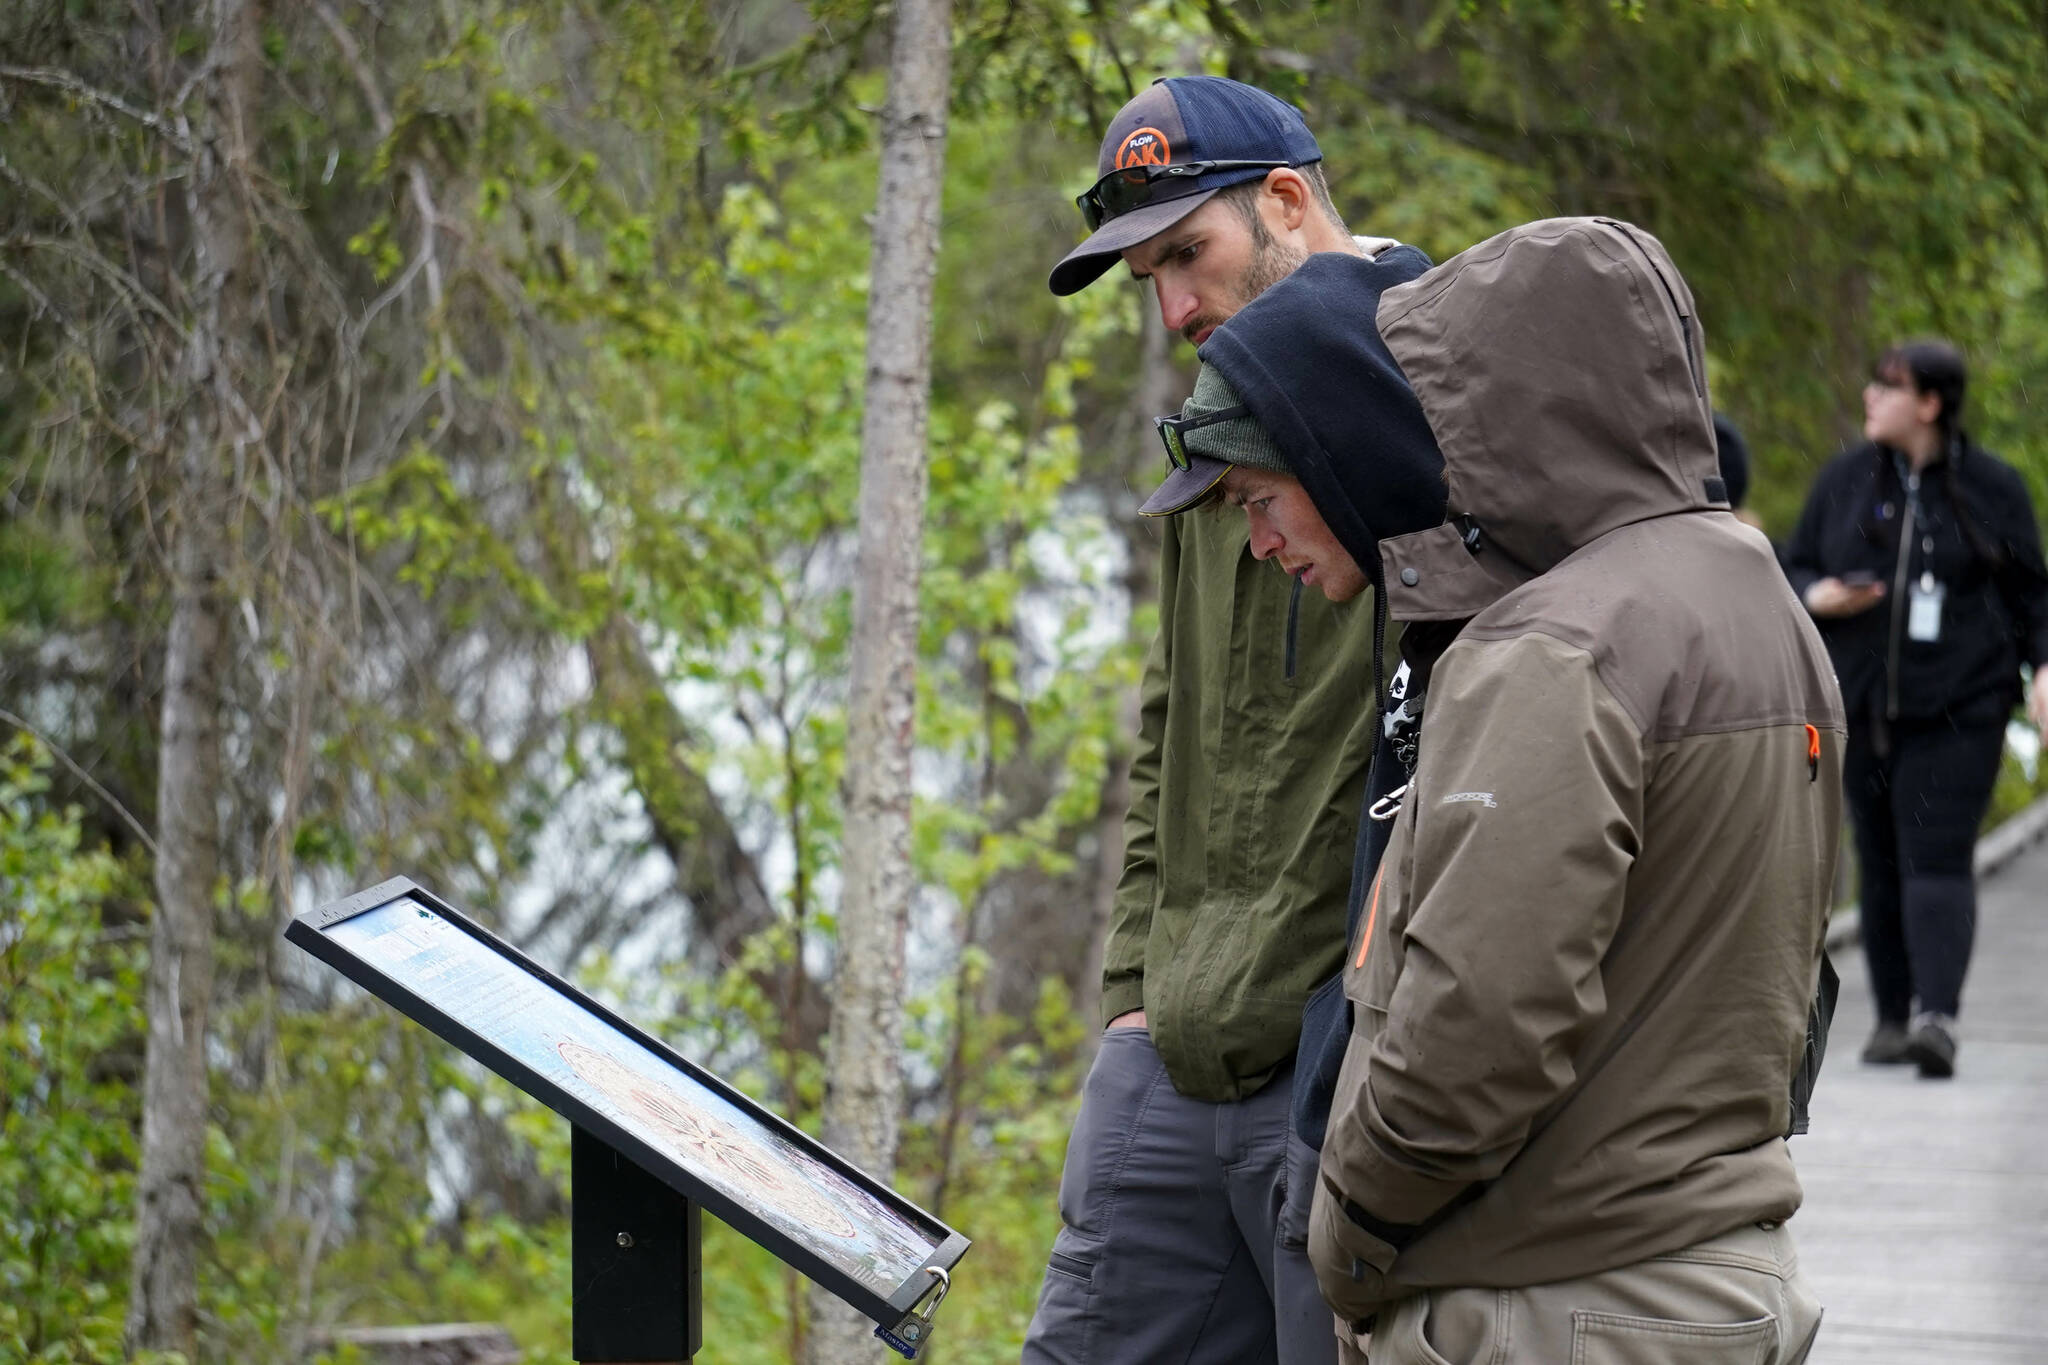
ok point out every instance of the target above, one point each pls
(1318, 378)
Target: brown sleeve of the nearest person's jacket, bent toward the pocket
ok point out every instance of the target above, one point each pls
(1531, 813)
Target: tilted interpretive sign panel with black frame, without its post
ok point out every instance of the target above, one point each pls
(683, 1125)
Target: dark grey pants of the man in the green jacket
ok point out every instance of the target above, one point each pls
(1181, 1237)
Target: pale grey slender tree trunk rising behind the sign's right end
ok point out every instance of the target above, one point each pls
(863, 1061)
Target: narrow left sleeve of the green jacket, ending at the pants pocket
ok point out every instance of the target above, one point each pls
(1138, 889)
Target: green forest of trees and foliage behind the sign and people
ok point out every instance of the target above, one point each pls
(509, 359)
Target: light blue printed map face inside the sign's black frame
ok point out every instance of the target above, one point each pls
(550, 1032)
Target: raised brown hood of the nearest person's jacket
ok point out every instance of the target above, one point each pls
(1564, 373)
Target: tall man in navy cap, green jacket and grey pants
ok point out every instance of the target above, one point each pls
(1185, 1196)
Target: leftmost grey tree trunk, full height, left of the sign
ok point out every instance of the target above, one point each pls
(171, 1184)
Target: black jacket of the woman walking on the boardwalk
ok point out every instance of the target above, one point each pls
(1996, 590)
